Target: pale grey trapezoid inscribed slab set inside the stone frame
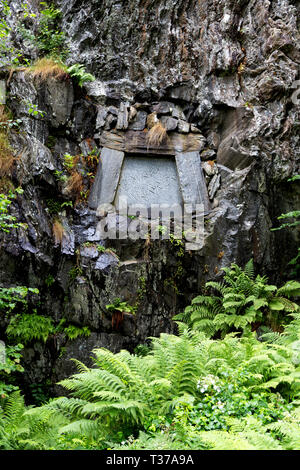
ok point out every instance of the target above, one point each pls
(149, 180)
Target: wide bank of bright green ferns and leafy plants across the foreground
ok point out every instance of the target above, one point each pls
(188, 392)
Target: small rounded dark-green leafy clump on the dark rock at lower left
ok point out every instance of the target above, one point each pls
(29, 327)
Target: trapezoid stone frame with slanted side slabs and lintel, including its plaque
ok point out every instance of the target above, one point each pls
(170, 173)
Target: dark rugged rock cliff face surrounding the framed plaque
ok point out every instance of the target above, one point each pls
(219, 75)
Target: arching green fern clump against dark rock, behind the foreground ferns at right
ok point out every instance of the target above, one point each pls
(243, 301)
